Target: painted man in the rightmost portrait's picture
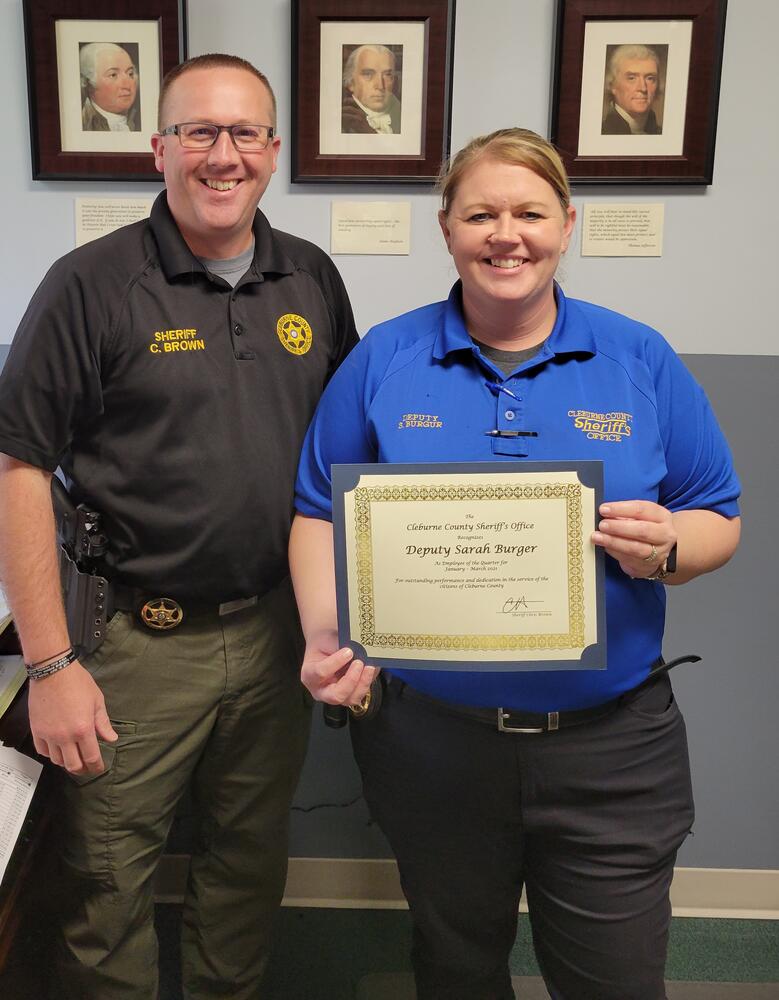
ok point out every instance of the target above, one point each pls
(632, 80)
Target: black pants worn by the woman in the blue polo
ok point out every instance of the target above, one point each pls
(588, 819)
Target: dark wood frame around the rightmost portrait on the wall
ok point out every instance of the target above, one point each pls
(694, 162)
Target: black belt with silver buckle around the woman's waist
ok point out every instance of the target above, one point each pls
(513, 720)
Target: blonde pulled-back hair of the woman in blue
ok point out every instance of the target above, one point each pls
(519, 146)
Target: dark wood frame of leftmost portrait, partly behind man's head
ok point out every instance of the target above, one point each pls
(49, 160)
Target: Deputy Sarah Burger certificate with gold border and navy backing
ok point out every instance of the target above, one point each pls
(470, 566)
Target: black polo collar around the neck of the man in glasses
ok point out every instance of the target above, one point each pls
(177, 259)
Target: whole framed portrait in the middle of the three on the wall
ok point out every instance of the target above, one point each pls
(371, 89)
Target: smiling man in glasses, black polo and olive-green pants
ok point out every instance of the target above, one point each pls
(171, 369)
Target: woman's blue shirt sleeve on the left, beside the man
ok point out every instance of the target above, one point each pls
(339, 433)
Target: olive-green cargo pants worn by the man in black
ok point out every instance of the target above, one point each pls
(216, 701)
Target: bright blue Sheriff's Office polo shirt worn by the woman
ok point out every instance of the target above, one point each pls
(602, 387)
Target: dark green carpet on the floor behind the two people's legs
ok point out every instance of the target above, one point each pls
(333, 954)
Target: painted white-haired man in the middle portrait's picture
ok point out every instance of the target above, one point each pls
(370, 106)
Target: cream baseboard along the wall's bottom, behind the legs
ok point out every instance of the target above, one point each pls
(363, 883)
